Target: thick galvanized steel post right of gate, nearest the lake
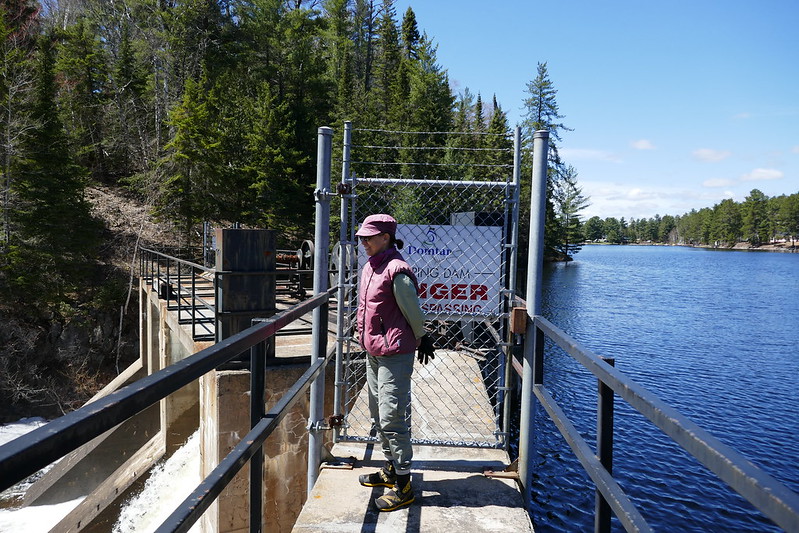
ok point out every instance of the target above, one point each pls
(533, 341)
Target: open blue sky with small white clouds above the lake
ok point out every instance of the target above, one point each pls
(674, 105)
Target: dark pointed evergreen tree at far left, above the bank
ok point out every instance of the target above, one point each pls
(51, 248)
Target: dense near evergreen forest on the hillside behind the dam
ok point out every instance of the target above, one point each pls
(209, 110)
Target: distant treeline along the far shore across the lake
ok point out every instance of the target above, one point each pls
(759, 219)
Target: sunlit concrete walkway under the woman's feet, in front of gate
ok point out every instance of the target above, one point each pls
(452, 494)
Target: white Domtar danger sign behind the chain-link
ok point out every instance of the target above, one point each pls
(458, 268)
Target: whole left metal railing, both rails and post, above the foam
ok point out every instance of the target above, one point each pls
(29, 453)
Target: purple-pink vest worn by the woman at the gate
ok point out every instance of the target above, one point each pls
(383, 328)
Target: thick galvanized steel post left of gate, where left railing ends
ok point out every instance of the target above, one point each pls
(320, 285)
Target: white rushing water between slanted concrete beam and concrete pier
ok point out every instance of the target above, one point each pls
(168, 485)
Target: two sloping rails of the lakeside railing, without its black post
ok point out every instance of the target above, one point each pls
(775, 500)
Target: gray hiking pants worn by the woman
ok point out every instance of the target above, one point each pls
(389, 381)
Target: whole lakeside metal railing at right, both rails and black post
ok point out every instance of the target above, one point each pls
(767, 494)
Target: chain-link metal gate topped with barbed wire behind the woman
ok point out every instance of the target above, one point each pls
(490, 356)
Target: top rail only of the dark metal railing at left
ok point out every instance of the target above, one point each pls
(33, 451)
